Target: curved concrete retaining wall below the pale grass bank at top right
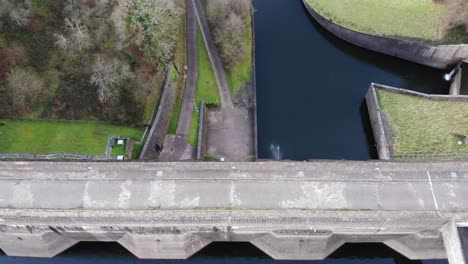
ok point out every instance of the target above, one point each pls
(442, 56)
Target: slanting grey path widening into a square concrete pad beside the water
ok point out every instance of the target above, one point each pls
(230, 129)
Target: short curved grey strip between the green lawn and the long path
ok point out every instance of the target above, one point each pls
(154, 142)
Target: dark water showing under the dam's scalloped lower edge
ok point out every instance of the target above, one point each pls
(218, 253)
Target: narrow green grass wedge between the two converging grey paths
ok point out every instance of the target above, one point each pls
(207, 88)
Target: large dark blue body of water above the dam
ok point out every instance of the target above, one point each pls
(311, 86)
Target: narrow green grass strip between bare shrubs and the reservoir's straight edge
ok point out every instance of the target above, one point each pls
(242, 73)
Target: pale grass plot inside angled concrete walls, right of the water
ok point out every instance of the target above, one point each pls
(425, 126)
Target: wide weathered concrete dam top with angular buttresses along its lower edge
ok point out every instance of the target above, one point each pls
(290, 210)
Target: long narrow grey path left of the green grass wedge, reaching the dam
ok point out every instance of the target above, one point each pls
(176, 147)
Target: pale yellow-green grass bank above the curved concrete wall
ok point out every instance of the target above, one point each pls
(415, 19)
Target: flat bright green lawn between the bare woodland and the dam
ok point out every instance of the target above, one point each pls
(44, 137)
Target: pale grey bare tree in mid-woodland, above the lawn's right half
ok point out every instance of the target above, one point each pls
(107, 76)
